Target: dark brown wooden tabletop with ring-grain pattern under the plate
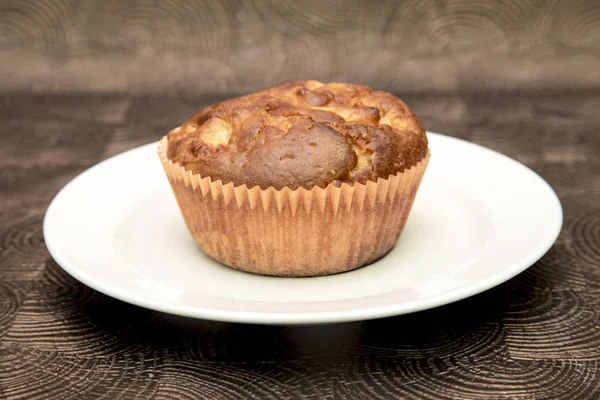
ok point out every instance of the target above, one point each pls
(536, 336)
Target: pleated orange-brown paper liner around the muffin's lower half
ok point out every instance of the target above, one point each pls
(298, 232)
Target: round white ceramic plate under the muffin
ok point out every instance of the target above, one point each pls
(479, 219)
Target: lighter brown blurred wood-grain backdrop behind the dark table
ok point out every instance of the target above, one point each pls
(211, 46)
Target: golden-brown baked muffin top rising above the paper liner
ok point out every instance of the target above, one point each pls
(301, 134)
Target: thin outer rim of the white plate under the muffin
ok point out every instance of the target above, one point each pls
(311, 318)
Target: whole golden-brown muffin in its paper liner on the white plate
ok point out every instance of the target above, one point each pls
(301, 179)
